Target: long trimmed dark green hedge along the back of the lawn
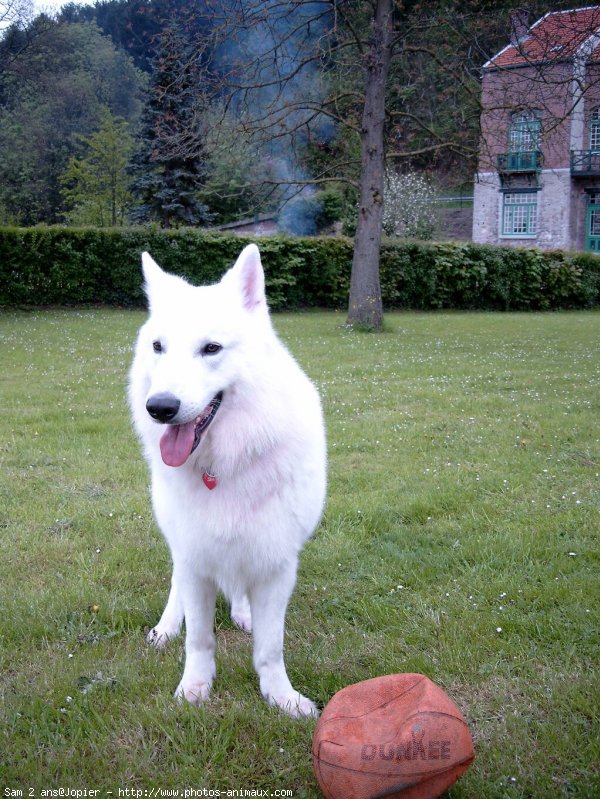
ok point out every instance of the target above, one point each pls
(66, 266)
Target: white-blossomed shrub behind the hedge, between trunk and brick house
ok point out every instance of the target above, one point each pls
(408, 205)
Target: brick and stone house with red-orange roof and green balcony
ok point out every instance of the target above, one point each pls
(538, 180)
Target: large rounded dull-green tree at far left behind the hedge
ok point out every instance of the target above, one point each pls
(73, 73)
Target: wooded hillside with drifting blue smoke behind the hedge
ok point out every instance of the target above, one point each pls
(177, 113)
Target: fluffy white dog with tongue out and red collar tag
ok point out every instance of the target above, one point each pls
(233, 433)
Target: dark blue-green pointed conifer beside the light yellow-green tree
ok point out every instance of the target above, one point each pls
(167, 180)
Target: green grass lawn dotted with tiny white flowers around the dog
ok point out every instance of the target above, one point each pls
(460, 540)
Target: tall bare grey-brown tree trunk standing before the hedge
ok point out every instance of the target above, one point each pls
(365, 305)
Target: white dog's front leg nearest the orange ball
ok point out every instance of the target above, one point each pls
(269, 603)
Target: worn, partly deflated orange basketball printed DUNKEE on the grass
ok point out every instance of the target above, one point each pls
(398, 737)
